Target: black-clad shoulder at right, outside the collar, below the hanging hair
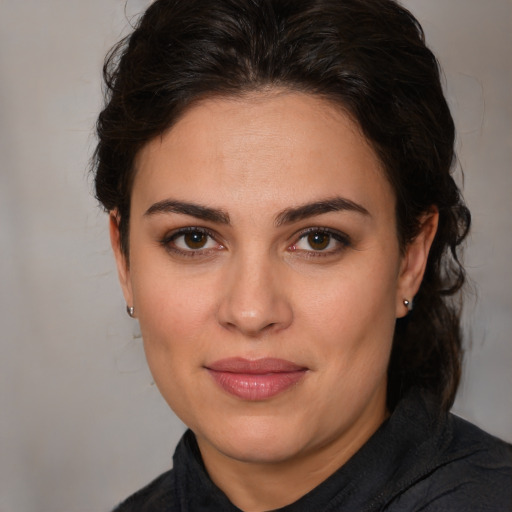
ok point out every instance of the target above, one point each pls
(471, 470)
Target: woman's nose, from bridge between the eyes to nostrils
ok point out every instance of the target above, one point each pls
(255, 301)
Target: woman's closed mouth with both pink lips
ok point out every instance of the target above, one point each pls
(255, 380)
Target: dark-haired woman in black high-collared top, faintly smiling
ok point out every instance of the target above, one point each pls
(287, 232)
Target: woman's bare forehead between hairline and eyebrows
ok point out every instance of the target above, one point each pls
(273, 148)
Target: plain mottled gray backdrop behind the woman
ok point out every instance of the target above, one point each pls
(81, 422)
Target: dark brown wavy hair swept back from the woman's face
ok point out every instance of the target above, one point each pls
(367, 56)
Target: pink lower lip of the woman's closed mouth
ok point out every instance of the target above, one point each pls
(256, 387)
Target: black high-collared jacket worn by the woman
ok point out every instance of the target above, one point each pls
(419, 460)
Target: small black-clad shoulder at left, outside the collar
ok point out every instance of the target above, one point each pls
(157, 496)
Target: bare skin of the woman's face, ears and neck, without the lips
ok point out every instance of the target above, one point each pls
(259, 288)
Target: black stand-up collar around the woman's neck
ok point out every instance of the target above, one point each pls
(401, 452)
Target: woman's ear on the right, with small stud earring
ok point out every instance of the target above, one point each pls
(414, 261)
